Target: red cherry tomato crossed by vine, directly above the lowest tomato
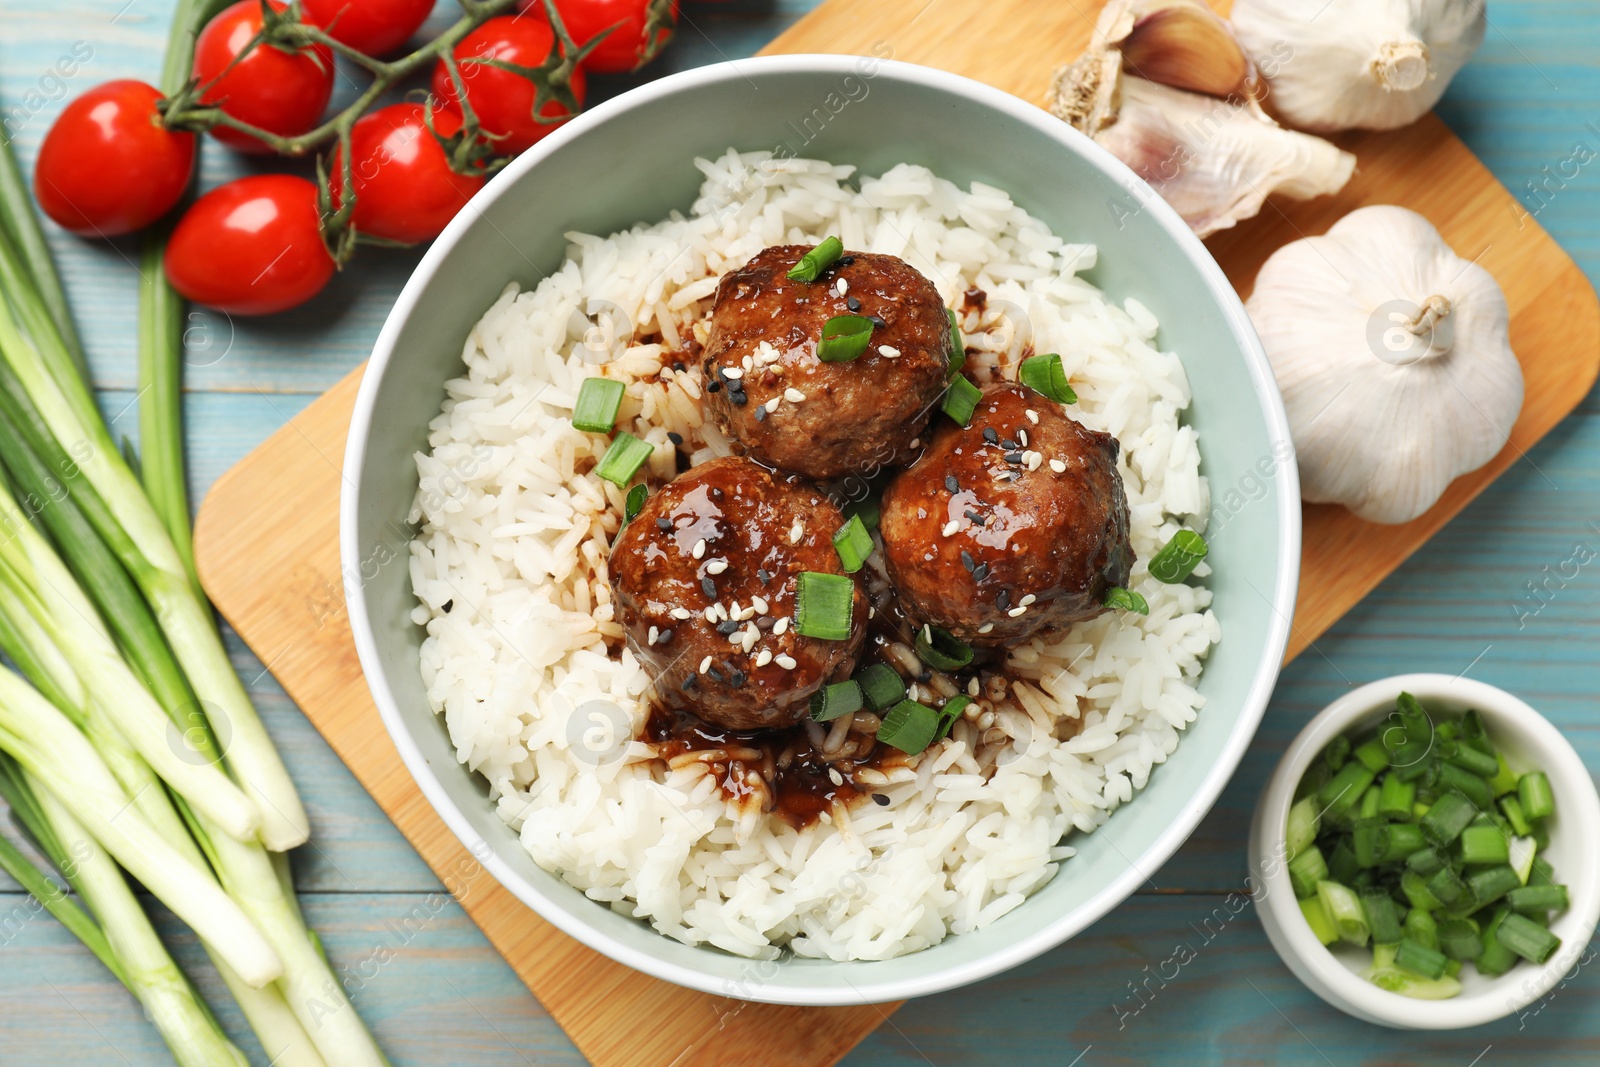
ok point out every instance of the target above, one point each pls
(271, 89)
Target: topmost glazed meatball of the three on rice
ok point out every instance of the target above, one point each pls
(790, 410)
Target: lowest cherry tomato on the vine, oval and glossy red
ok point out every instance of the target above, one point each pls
(252, 247)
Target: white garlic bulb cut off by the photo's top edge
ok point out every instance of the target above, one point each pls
(1359, 65)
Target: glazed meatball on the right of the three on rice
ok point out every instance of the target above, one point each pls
(1007, 527)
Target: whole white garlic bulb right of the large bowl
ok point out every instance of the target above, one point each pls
(1393, 358)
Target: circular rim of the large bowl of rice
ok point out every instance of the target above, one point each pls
(830, 989)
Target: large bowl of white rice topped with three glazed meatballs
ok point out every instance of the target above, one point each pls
(820, 530)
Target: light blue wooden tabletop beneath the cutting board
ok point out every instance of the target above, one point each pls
(1486, 597)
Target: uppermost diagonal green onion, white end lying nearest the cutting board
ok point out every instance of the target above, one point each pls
(70, 433)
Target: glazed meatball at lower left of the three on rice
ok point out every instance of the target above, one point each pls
(732, 538)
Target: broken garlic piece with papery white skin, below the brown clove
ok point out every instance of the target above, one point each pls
(1215, 161)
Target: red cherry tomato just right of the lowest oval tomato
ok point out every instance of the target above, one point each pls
(404, 186)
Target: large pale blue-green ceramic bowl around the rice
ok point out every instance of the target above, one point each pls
(631, 161)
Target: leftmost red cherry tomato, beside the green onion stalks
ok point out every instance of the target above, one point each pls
(108, 166)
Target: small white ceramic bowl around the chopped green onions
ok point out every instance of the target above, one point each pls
(1529, 743)
